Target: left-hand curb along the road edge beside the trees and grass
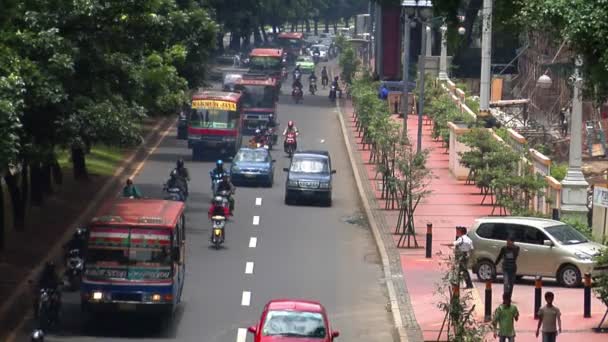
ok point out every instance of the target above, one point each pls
(19, 303)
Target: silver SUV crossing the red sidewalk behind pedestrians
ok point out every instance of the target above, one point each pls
(548, 248)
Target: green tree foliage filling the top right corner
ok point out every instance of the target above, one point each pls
(582, 24)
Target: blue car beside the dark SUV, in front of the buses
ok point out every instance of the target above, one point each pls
(252, 166)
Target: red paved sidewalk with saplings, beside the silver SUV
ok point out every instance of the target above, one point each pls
(453, 203)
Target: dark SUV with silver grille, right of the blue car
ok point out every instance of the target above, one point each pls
(309, 176)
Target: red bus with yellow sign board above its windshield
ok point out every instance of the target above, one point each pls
(215, 123)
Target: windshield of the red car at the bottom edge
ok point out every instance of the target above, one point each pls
(294, 324)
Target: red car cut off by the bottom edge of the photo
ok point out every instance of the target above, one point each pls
(288, 320)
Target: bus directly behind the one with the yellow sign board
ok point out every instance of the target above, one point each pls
(260, 95)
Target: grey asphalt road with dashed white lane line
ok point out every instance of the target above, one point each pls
(299, 251)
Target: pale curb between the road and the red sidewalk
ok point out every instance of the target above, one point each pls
(401, 330)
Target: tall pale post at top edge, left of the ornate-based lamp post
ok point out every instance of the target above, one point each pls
(486, 59)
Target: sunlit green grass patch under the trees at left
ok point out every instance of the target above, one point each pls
(102, 160)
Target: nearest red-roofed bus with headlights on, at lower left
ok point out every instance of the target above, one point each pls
(135, 257)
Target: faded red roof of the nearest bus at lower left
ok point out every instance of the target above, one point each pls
(139, 212)
